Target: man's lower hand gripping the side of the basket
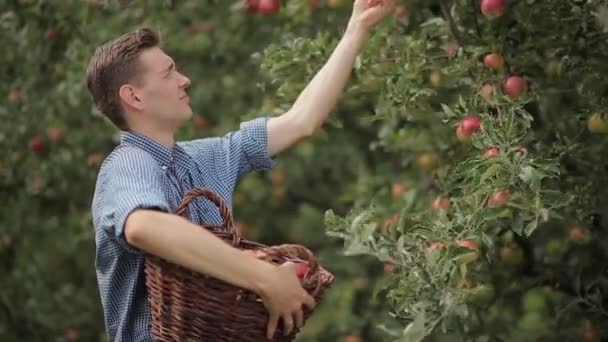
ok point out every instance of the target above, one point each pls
(283, 297)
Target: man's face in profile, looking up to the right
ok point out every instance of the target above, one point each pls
(163, 91)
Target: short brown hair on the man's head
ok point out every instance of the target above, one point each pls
(114, 64)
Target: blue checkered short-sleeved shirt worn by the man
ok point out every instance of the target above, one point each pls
(141, 173)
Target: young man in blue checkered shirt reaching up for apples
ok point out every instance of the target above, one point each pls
(137, 86)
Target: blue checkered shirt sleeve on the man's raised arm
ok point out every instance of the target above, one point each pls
(237, 152)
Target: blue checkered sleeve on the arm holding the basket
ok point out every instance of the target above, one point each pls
(133, 180)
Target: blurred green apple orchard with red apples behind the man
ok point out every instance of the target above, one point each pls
(458, 191)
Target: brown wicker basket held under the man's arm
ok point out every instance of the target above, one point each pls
(189, 306)
